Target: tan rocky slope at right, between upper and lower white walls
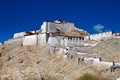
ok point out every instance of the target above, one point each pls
(109, 50)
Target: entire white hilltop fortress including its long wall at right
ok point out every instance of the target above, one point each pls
(54, 34)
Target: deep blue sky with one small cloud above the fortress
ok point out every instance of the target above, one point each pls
(25, 15)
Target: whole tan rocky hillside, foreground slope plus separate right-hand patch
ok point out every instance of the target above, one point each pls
(19, 62)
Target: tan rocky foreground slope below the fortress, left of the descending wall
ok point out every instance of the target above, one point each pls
(19, 62)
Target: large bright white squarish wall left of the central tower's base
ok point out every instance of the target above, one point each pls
(30, 40)
